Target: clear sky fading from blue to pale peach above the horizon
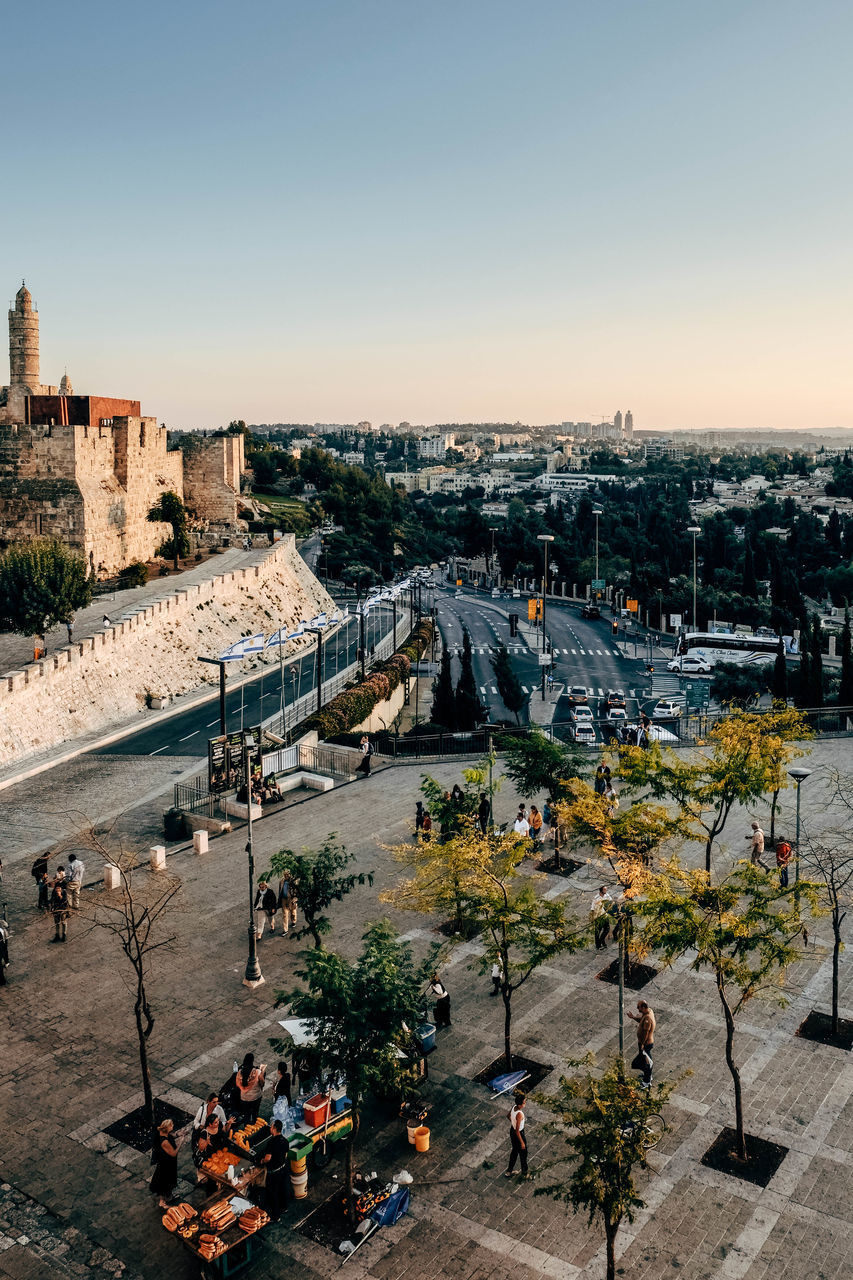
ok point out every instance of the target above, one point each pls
(467, 211)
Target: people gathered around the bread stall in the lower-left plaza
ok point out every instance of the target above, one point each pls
(231, 1108)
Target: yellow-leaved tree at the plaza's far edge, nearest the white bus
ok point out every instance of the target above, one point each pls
(740, 762)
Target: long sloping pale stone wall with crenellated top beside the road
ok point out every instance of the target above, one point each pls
(103, 680)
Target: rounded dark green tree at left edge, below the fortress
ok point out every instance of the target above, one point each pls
(43, 584)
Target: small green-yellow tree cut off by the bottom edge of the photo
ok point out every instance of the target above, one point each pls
(603, 1119)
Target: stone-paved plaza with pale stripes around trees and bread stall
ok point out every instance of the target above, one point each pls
(75, 1203)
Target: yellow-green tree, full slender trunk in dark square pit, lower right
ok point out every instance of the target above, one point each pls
(745, 930)
